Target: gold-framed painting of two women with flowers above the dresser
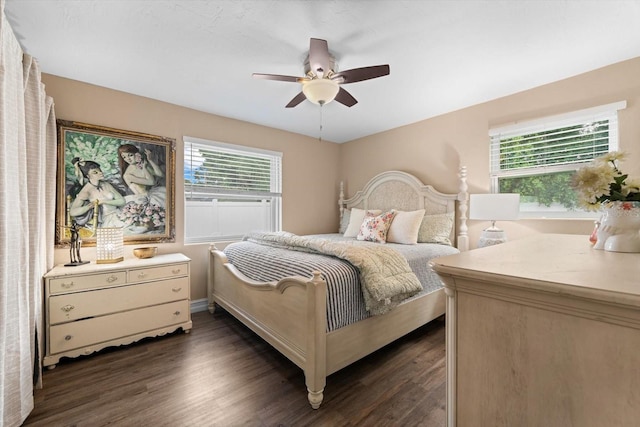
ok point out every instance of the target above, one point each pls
(114, 178)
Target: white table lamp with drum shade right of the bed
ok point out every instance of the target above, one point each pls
(494, 207)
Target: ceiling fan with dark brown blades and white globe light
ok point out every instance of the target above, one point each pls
(322, 81)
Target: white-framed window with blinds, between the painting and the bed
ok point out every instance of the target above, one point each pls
(230, 190)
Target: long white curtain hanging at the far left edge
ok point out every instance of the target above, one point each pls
(27, 210)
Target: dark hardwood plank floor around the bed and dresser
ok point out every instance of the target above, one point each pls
(222, 374)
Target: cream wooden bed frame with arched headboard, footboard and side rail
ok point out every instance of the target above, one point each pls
(291, 314)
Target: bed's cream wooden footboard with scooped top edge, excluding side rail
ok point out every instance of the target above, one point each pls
(290, 315)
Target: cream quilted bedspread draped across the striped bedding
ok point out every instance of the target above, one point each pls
(385, 274)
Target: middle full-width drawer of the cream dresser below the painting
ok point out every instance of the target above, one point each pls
(79, 305)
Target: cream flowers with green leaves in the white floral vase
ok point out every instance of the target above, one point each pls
(602, 182)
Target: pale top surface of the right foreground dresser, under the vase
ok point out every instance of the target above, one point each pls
(559, 263)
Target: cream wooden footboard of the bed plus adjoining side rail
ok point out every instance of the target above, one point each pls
(291, 316)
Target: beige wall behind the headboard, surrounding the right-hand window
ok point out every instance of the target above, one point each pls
(434, 149)
